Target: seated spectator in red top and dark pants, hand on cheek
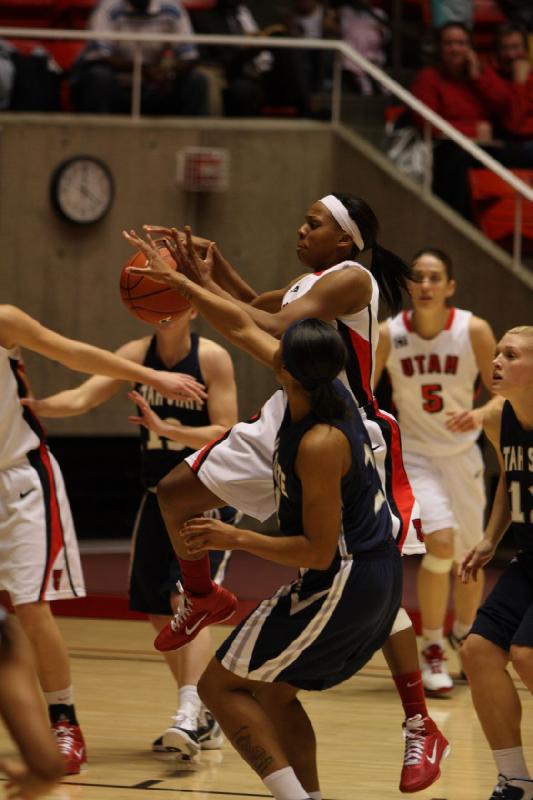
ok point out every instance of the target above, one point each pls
(468, 95)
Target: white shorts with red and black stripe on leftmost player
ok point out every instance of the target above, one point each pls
(39, 557)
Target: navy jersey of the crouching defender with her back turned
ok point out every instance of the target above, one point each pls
(366, 526)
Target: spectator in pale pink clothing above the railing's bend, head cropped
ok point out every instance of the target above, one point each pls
(365, 28)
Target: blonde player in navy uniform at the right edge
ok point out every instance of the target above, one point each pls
(503, 629)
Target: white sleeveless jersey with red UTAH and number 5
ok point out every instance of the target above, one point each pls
(430, 377)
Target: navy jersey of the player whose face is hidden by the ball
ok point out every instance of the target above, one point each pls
(159, 455)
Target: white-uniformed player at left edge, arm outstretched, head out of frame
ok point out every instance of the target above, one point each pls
(39, 559)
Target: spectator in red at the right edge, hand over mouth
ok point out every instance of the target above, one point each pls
(516, 70)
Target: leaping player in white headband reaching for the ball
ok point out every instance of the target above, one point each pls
(336, 228)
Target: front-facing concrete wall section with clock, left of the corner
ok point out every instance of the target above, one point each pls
(67, 276)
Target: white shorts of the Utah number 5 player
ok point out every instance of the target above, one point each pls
(451, 494)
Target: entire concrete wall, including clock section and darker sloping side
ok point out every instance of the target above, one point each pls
(67, 276)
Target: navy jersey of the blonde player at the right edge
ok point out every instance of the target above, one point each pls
(516, 445)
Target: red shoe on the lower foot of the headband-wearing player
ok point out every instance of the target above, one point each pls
(425, 748)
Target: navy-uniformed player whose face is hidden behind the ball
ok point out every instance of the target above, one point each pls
(170, 431)
